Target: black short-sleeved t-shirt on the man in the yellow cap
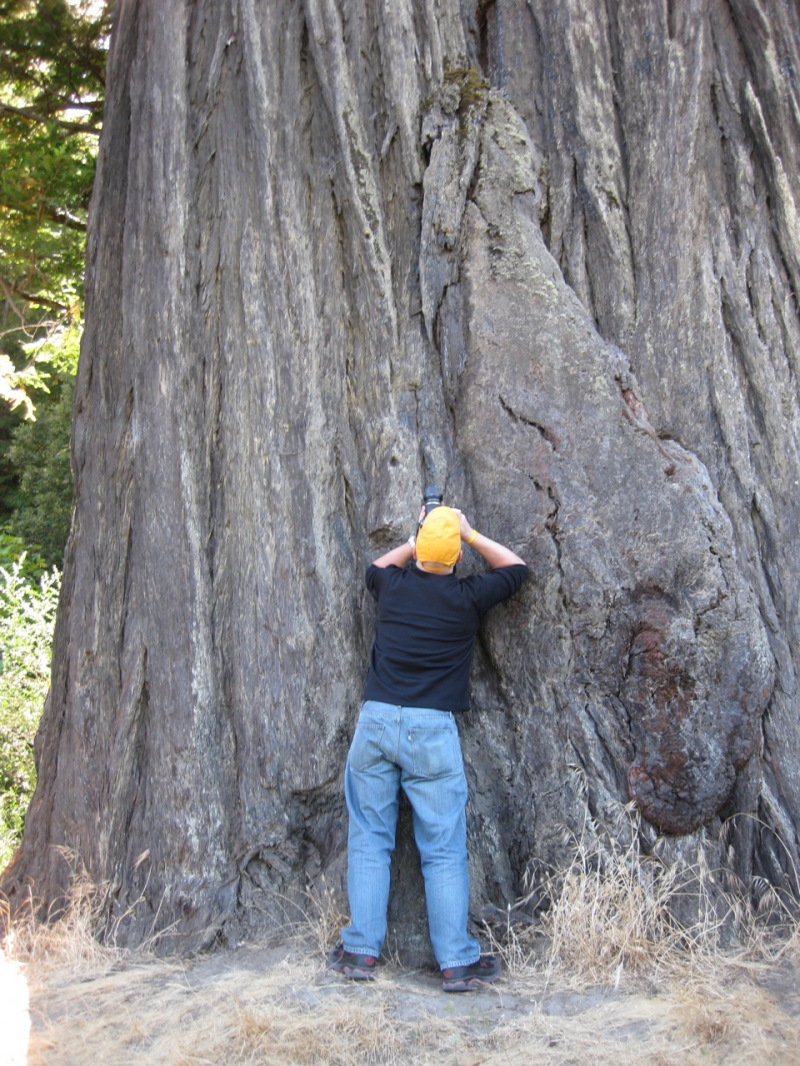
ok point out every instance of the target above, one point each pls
(427, 625)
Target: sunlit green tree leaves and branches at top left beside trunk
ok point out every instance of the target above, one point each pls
(53, 63)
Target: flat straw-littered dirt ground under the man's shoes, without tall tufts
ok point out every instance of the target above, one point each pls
(279, 1005)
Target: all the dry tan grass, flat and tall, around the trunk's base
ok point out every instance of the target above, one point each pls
(606, 977)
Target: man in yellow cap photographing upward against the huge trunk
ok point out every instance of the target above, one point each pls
(407, 738)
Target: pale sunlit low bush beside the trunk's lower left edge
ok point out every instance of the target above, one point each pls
(27, 619)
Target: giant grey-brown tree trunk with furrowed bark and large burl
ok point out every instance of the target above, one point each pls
(543, 254)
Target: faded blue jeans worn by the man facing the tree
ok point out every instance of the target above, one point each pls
(417, 750)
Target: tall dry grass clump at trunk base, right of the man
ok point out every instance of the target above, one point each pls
(615, 912)
